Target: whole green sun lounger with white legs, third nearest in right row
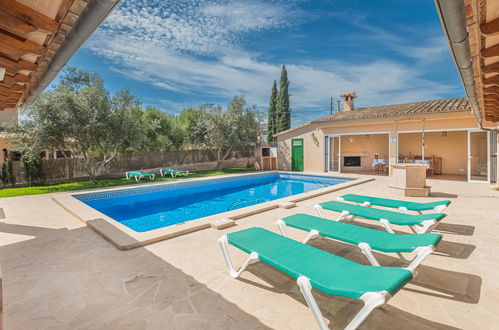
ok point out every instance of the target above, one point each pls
(419, 223)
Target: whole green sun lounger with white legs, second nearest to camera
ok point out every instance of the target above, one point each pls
(366, 239)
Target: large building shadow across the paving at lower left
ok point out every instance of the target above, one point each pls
(66, 279)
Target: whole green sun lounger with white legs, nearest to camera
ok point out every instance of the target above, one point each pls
(318, 269)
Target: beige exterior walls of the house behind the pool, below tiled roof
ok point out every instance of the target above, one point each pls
(314, 133)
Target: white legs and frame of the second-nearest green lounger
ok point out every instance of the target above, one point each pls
(421, 252)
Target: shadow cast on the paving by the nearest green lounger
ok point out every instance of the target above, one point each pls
(340, 310)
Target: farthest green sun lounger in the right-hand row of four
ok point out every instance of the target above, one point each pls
(404, 206)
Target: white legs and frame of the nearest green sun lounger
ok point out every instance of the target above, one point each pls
(371, 300)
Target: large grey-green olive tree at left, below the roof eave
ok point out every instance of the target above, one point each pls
(80, 118)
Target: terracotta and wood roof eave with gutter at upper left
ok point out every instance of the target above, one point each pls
(37, 38)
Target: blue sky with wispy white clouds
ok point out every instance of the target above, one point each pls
(174, 54)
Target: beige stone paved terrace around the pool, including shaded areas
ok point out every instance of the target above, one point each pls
(59, 274)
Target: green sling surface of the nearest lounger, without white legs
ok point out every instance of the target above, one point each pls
(327, 272)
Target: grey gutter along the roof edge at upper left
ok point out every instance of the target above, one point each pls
(90, 19)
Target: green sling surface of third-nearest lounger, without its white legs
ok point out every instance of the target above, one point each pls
(396, 218)
